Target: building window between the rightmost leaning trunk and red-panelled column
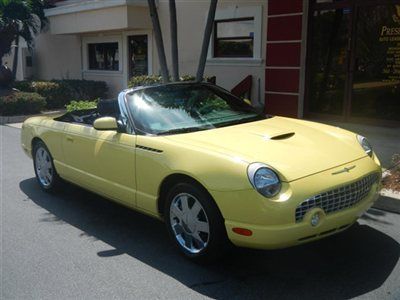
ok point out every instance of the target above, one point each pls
(234, 38)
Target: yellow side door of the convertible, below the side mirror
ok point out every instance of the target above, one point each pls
(101, 161)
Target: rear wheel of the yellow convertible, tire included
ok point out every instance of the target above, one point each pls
(45, 171)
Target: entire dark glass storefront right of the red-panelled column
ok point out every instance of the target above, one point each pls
(353, 61)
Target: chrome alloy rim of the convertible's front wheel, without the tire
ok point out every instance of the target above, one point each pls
(189, 223)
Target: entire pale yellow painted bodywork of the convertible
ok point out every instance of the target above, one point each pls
(123, 168)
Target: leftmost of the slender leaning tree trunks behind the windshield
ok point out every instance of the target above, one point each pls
(159, 40)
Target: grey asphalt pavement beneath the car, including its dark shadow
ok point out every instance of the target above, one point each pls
(79, 245)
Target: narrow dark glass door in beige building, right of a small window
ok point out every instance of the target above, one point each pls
(138, 55)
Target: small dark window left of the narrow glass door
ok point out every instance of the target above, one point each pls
(103, 56)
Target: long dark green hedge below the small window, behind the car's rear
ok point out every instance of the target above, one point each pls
(58, 93)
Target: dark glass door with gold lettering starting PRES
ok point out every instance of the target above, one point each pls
(376, 81)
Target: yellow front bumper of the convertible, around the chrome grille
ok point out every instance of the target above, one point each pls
(272, 221)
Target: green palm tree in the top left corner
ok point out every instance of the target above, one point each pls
(20, 19)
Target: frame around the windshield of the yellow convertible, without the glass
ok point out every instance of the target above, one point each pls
(259, 115)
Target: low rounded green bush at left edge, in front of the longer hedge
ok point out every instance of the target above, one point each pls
(21, 103)
